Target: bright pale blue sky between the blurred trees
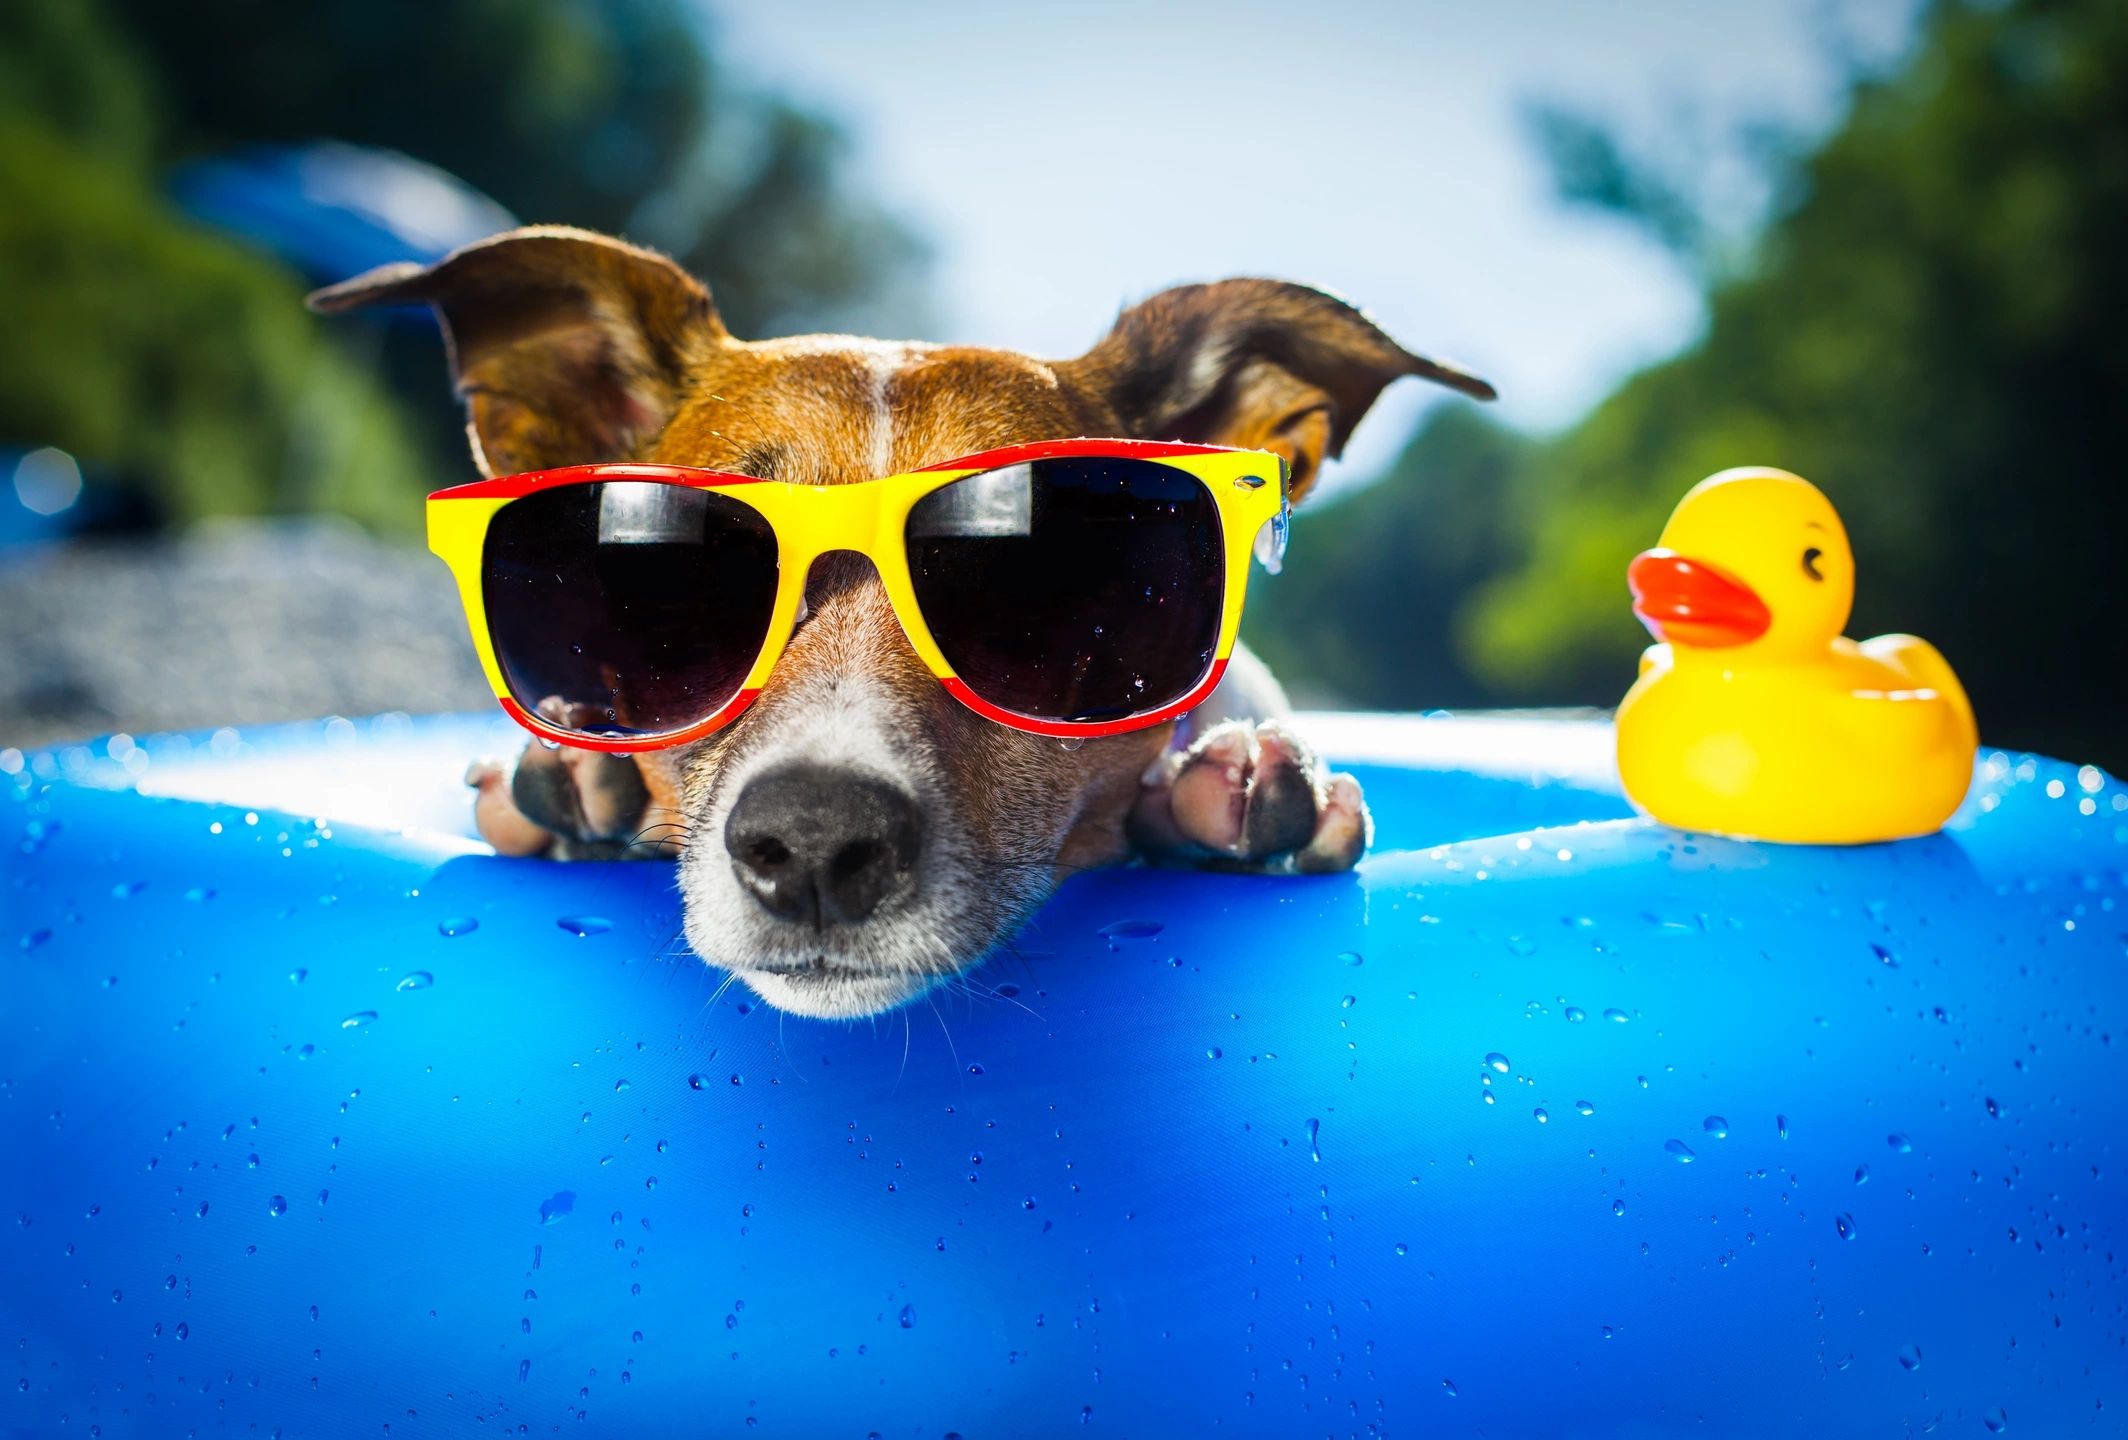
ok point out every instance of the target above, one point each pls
(1069, 158)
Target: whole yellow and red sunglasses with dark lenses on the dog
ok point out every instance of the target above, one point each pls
(1069, 588)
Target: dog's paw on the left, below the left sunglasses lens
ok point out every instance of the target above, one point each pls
(565, 803)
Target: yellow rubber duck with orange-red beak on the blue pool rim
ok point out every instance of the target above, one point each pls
(1755, 716)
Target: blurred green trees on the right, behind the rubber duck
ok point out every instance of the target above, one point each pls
(1933, 329)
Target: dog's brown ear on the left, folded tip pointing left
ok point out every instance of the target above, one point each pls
(569, 348)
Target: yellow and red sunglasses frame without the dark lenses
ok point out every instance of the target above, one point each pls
(869, 518)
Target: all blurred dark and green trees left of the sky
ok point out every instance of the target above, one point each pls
(184, 361)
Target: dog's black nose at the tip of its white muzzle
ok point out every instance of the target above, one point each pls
(822, 845)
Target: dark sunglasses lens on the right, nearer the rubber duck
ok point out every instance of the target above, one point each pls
(1074, 590)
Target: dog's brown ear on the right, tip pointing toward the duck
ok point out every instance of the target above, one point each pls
(1261, 365)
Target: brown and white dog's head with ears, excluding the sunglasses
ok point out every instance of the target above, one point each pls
(859, 835)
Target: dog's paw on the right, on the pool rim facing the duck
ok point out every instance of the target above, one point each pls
(1250, 797)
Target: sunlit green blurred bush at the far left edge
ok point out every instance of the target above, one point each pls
(144, 344)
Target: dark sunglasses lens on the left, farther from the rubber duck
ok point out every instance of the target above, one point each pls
(639, 605)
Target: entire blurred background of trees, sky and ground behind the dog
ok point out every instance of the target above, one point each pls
(1874, 241)
